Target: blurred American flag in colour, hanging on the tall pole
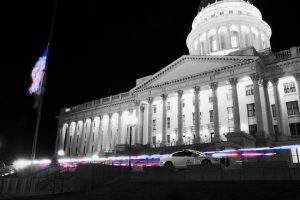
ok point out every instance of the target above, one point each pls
(37, 74)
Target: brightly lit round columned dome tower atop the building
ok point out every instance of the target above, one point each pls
(223, 26)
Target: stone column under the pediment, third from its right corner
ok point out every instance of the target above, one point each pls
(214, 87)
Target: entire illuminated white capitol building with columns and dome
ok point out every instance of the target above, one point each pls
(231, 89)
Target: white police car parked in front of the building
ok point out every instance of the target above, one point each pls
(181, 159)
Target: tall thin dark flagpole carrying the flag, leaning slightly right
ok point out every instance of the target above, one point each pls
(43, 86)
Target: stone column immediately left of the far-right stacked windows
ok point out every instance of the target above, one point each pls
(280, 123)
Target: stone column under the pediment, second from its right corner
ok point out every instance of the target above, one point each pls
(235, 102)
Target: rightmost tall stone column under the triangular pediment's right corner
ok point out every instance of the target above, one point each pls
(260, 137)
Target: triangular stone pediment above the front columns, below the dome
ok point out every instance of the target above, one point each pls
(190, 65)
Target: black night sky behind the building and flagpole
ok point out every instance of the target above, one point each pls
(98, 49)
